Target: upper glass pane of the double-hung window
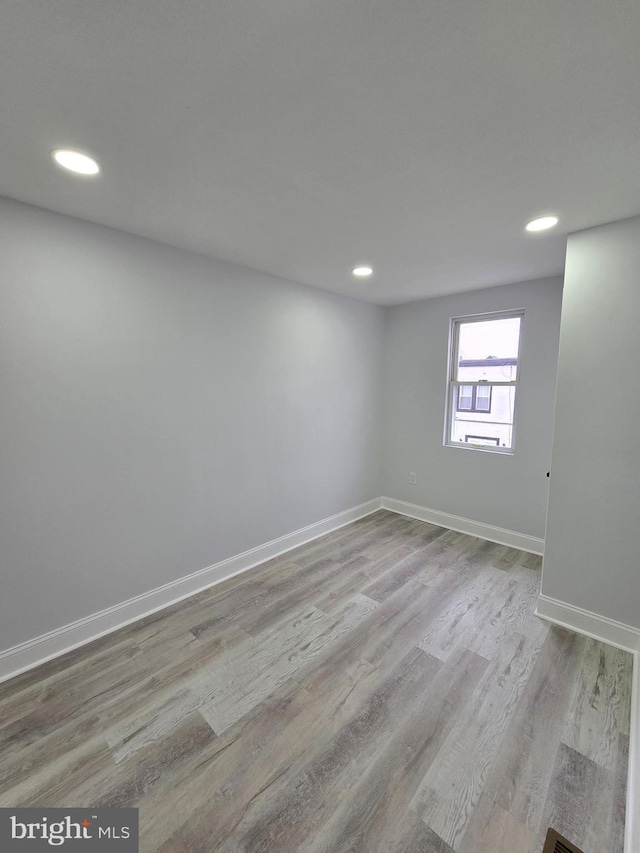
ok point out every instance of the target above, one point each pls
(488, 349)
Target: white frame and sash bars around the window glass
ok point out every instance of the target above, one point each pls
(451, 400)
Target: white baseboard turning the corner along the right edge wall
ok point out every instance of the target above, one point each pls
(624, 637)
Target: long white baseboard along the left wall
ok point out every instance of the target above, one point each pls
(55, 643)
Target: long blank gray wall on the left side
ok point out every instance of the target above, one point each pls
(162, 411)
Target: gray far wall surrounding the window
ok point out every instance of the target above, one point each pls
(505, 491)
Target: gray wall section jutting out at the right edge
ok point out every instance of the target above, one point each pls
(591, 555)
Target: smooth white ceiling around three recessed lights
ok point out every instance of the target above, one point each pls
(302, 137)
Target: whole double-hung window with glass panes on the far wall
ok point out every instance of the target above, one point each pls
(483, 380)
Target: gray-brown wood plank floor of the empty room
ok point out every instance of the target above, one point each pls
(384, 688)
